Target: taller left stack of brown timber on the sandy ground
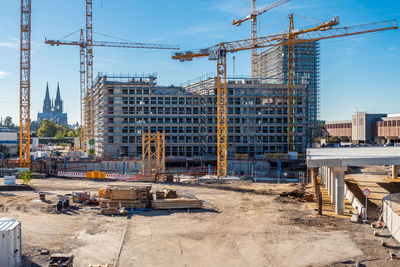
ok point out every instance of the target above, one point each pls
(116, 198)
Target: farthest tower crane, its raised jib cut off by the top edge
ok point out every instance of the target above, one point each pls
(253, 17)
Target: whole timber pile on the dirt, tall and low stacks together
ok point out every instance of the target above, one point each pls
(116, 200)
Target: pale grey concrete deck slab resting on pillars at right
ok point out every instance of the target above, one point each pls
(353, 156)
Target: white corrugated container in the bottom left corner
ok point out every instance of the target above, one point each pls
(10, 242)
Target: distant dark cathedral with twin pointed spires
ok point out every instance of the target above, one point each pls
(53, 110)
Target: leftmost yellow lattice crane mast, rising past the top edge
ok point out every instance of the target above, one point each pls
(25, 84)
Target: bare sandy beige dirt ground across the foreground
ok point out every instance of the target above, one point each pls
(242, 224)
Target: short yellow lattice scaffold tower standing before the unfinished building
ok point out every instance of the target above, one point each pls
(153, 153)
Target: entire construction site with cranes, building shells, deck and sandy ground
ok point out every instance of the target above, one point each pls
(218, 171)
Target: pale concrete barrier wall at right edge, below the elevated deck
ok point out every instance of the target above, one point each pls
(391, 218)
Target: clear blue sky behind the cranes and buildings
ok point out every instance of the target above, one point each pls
(356, 72)
